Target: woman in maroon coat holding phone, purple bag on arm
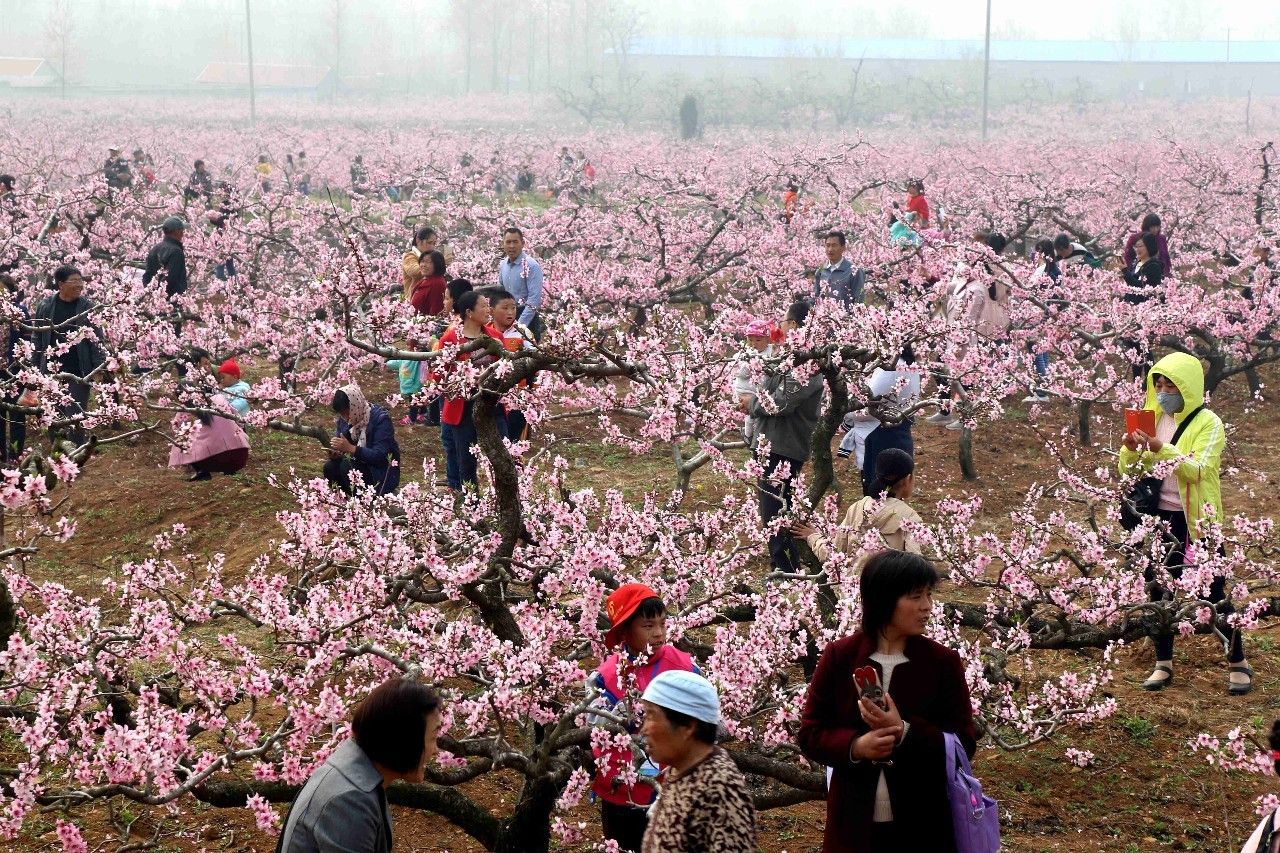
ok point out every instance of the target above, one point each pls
(888, 786)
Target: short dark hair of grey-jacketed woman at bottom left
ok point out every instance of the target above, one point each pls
(390, 724)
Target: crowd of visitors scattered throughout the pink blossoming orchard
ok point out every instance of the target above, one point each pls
(885, 736)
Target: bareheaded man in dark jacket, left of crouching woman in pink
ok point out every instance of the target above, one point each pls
(57, 320)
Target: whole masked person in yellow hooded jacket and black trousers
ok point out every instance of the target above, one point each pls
(1188, 496)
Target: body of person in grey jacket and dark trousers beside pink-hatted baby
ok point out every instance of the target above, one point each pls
(788, 423)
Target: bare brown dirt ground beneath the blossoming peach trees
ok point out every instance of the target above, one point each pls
(1146, 791)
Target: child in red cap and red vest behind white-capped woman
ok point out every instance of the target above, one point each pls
(638, 621)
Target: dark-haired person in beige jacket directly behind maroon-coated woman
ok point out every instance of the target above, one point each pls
(895, 480)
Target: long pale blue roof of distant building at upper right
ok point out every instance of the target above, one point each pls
(941, 49)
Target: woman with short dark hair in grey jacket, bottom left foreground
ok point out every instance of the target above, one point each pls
(344, 806)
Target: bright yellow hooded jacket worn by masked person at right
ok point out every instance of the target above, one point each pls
(1200, 448)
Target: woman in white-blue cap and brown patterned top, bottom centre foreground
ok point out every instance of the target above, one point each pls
(706, 806)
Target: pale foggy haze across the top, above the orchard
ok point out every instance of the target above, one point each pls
(751, 62)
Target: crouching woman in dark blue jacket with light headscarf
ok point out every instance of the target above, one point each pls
(364, 443)
